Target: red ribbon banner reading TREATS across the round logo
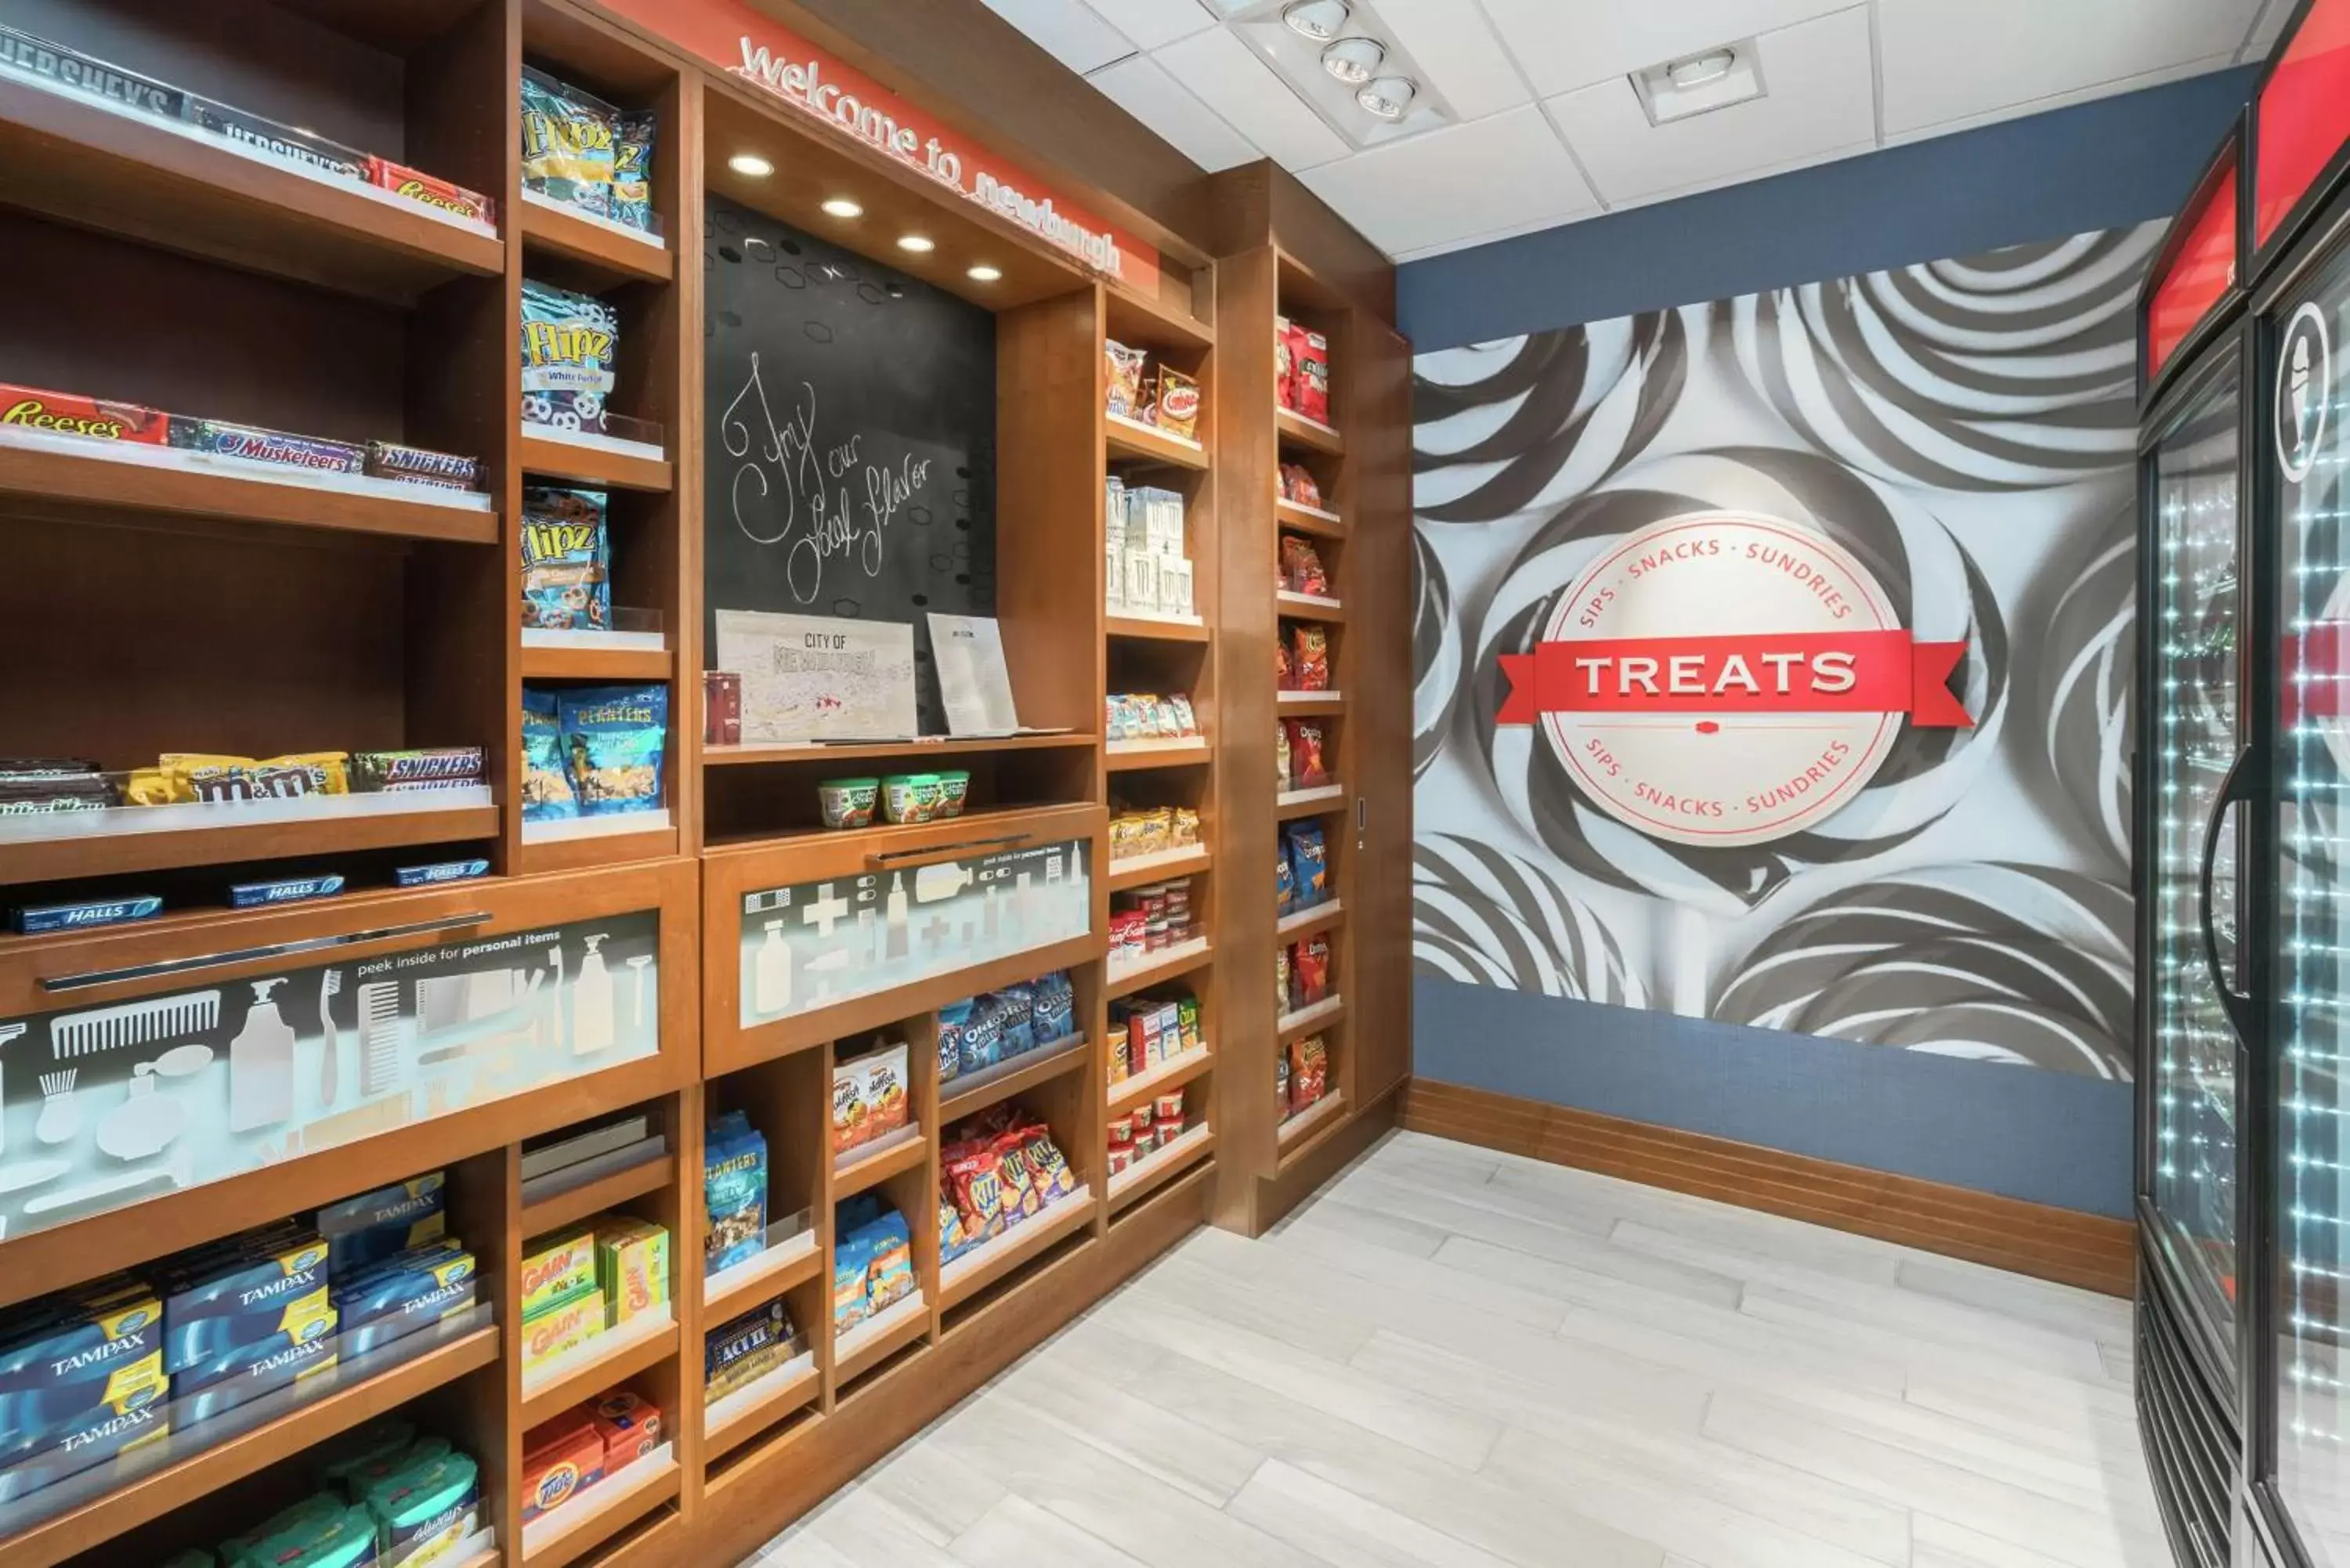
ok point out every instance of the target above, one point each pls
(1731, 676)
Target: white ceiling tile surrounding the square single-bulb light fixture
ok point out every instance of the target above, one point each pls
(1818, 98)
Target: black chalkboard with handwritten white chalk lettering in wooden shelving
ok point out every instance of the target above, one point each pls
(850, 438)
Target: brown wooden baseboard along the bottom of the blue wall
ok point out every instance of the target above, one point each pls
(2074, 1249)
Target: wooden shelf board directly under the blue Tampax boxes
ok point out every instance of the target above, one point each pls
(81, 1513)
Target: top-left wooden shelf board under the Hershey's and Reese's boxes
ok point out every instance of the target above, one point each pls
(168, 185)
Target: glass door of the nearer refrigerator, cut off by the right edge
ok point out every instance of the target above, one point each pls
(2314, 911)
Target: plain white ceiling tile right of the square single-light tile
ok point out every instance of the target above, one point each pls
(1949, 62)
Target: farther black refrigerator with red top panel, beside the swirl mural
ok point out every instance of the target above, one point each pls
(2196, 768)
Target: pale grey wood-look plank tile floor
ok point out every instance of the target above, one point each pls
(1468, 1360)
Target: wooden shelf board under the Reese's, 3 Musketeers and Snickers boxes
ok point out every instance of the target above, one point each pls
(79, 476)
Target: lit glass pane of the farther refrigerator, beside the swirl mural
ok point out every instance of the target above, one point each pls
(2198, 739)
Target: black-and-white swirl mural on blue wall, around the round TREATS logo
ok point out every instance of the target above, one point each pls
(1963, 431)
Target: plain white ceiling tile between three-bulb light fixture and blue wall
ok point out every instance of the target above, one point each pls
(1446, 185)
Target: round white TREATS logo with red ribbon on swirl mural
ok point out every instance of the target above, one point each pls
(1726, 678)
